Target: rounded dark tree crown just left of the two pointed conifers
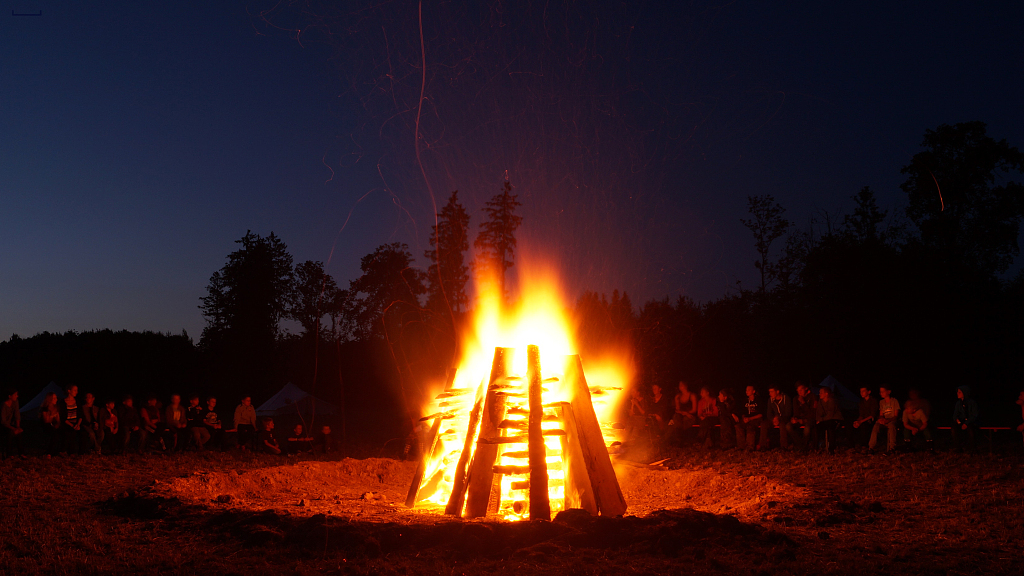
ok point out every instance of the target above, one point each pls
(391, 289)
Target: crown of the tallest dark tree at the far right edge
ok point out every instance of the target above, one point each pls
(961, 198)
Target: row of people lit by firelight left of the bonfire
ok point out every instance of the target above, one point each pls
(68, 427)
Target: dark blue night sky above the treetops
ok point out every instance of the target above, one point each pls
(139, 141)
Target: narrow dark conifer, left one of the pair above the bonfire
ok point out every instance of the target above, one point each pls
(448, 275)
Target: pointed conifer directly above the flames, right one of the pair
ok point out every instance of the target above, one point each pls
(496, 241)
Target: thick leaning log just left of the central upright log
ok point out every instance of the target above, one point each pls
(480, 480)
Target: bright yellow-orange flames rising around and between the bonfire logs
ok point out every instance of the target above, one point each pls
(540, 318)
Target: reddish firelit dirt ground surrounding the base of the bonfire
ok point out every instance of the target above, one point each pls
(720, 513)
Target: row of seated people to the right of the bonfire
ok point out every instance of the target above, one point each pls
(810, 421)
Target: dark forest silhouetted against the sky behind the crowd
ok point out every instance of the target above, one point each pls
(917, 298)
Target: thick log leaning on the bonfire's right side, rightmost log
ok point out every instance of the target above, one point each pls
(603, 476)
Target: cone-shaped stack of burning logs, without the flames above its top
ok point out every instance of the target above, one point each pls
(519, 445)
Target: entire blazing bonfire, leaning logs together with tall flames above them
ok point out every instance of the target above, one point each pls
(521, 440)
